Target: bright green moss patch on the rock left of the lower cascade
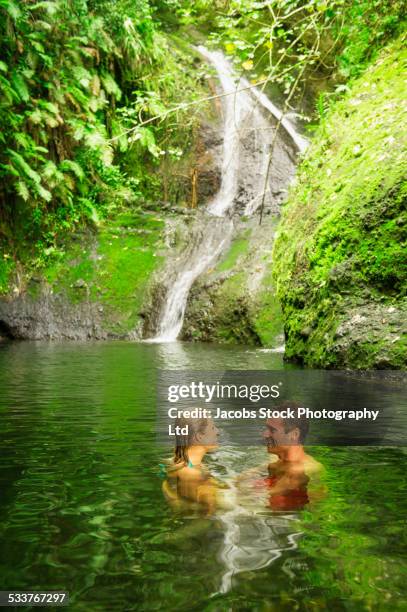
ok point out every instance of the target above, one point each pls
(111, 270)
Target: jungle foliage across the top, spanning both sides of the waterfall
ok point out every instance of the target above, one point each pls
(86, 86)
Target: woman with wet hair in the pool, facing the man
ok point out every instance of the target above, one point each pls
(187, 478)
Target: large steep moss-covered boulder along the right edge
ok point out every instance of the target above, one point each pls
(340, 254)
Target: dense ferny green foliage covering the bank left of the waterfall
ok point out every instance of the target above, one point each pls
(79, 85)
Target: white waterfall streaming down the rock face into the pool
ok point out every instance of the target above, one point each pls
(247, 139)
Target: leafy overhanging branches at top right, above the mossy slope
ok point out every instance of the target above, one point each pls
(293, 47)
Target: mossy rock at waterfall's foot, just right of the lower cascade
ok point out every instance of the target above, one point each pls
(235, 302)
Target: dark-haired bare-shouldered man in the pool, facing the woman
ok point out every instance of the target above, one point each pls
(287, 480)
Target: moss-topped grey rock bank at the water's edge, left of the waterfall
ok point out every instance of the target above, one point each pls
(96, 289)
